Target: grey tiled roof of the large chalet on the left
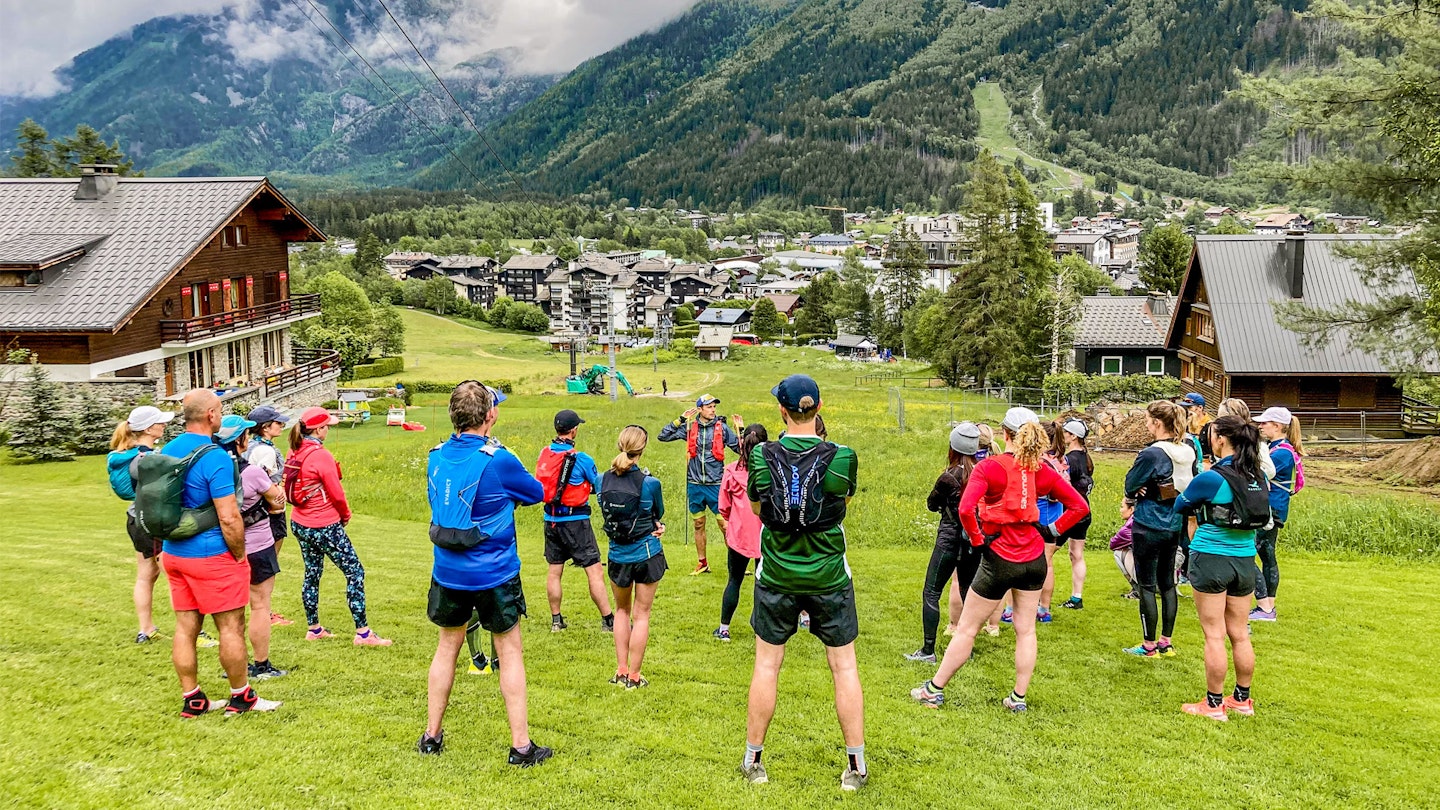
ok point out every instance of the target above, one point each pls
(153, 227)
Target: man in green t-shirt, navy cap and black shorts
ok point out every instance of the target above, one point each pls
(801, 488)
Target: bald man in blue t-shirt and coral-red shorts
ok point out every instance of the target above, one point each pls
(210, 573)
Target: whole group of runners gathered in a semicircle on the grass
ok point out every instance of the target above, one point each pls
(781, 504)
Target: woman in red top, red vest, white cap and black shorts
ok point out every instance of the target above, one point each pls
(1000, 512)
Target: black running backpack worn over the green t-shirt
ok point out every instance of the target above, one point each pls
(796, 501)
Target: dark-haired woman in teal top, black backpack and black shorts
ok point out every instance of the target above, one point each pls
(1232, 501)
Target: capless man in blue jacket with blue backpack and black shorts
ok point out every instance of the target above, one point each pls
(474, 485)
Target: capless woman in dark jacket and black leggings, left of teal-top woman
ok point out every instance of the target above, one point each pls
(1160, 473)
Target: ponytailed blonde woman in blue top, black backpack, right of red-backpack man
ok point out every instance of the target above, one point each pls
(633, 508)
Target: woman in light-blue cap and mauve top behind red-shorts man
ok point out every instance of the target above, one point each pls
(260, 498)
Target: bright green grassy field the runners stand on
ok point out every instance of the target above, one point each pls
(1349, 706)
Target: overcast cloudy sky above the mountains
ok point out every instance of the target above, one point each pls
(551, 35)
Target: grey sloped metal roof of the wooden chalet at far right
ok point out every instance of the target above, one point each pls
(1246, 275)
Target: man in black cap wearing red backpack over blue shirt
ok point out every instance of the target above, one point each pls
(568, 533)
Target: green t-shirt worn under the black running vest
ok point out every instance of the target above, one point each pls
(807, 563)
